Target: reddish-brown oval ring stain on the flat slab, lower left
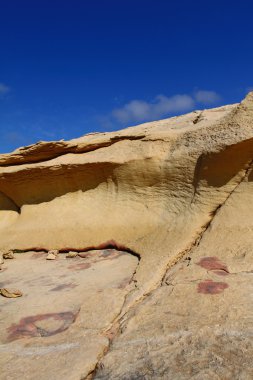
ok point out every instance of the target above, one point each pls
(27, 326)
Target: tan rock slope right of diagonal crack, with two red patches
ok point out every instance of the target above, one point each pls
(198, 323)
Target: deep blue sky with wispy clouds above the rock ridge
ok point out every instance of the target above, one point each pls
(72, 67)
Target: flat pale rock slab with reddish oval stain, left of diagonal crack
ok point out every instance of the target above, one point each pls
(57, 329)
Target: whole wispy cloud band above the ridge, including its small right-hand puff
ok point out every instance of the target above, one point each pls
(161, 106)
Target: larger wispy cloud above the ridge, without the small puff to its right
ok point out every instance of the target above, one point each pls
(140, 110)
